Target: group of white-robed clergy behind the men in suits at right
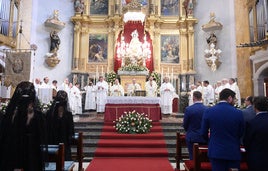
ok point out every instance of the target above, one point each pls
(210, 92)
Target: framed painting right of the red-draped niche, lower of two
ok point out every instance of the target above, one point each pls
(170, 49)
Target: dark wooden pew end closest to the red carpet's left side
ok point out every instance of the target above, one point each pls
(77, 140)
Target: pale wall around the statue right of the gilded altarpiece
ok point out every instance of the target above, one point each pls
(224, 12)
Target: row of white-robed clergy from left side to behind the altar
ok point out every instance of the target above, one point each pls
(96, 94)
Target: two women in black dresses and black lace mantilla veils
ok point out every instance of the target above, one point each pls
(24, 129)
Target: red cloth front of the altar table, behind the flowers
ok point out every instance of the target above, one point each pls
(114, 111)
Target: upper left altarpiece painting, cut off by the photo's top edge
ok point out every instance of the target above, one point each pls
(99, 7)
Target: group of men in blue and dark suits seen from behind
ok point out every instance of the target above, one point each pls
(225, 128)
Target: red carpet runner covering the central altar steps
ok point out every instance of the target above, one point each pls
(131, 152)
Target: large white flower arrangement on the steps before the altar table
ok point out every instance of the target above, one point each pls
(133, 123)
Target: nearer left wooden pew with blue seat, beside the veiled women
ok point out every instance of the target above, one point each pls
(56, 159)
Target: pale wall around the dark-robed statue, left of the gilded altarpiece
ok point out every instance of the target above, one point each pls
(42, 10)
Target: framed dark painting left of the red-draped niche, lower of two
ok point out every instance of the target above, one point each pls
(98, 48)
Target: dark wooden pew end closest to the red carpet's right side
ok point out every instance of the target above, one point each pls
(180, 144)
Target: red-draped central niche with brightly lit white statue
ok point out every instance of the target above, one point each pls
(134, 43)
